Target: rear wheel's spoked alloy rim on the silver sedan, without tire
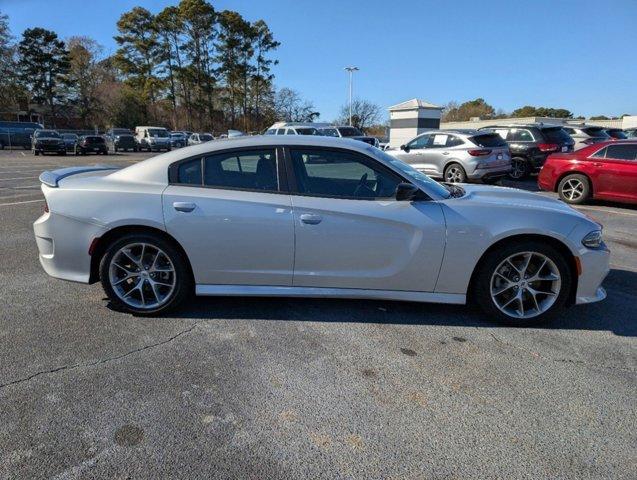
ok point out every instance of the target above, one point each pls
(142, 275)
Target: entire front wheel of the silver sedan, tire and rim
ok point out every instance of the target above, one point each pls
(522, 284)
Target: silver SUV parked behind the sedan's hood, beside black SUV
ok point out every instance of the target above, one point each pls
(457, 155)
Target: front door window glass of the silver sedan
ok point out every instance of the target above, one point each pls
(330, 173)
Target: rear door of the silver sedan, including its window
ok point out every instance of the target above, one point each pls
(232, 214)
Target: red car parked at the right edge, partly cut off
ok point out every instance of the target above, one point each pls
(605, 170)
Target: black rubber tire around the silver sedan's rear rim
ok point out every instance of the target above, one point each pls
(183, 284)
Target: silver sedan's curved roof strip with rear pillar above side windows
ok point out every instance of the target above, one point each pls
(154, 169)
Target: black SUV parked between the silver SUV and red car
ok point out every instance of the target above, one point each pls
(530, 144)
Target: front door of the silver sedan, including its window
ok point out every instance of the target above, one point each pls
(352, 233)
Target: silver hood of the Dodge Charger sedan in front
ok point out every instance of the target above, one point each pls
(498, 196)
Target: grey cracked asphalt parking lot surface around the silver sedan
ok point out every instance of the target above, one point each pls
(278, 388)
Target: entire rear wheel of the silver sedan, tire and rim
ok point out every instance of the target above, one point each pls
(145, 274)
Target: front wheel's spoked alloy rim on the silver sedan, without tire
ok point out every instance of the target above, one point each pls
(525, 285)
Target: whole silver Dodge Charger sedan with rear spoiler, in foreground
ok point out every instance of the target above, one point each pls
(313, 217)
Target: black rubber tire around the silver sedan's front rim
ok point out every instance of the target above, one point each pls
(481, 282)
